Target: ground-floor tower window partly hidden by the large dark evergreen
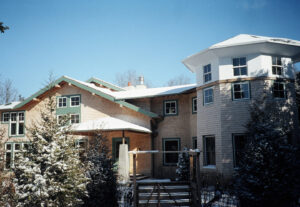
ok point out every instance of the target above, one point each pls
(239, 143)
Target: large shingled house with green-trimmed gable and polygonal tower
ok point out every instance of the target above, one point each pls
(209, 115)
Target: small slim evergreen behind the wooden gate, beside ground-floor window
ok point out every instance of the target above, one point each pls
(183, 166)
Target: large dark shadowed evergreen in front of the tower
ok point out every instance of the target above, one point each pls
(268, 174)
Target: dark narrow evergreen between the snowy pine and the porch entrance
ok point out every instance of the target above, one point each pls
(102, 188)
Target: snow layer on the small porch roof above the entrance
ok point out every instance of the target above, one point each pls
(108, 124)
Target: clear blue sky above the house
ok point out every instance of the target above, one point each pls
(98, 38)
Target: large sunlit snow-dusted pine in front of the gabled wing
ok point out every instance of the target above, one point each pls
(50, 173)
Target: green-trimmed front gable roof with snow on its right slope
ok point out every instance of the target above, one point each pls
(103, 92)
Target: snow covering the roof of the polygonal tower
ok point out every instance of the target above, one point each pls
(244, 39)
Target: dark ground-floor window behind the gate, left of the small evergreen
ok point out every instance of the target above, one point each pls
(171, 144)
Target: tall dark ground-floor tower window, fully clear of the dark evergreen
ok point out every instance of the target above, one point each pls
(209, 150)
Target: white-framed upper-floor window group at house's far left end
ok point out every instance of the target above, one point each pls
(16, 122)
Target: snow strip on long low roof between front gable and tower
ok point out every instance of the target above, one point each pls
(151, 92)
